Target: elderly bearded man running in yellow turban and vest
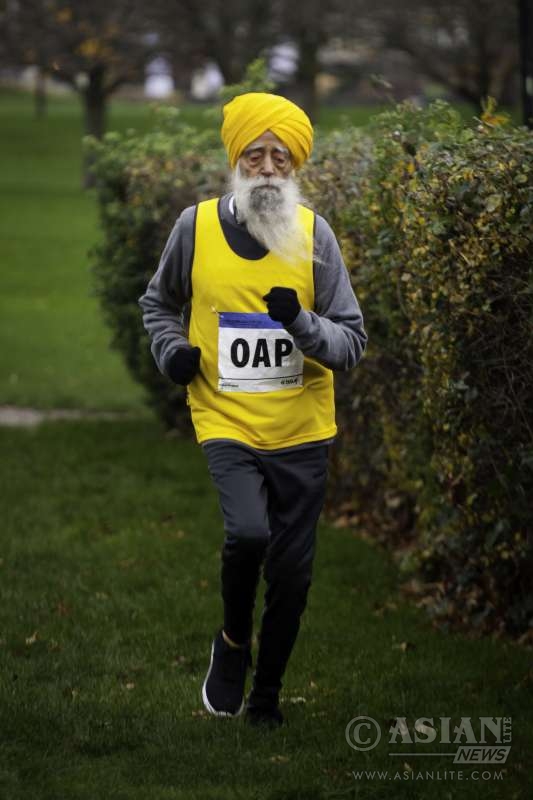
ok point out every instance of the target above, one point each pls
(252, 308)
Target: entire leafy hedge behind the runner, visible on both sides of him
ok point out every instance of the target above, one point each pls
(435, 456)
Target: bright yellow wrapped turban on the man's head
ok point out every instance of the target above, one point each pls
(248, 116)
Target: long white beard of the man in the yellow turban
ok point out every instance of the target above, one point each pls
(269, 208)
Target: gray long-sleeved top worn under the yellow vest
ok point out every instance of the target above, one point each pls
(332, 333)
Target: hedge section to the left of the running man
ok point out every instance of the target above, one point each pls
(143, 184)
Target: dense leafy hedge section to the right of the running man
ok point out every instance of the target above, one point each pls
(440, 239)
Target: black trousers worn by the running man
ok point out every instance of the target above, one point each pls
(271, 504)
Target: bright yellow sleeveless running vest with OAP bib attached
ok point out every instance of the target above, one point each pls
(254, 385)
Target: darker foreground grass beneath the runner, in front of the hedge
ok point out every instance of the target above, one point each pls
(110, 597)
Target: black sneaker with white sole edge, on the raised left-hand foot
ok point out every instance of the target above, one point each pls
(223, 689)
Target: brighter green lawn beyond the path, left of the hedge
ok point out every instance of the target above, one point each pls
(55, 345)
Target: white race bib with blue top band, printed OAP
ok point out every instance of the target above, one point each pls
(256, 354)
